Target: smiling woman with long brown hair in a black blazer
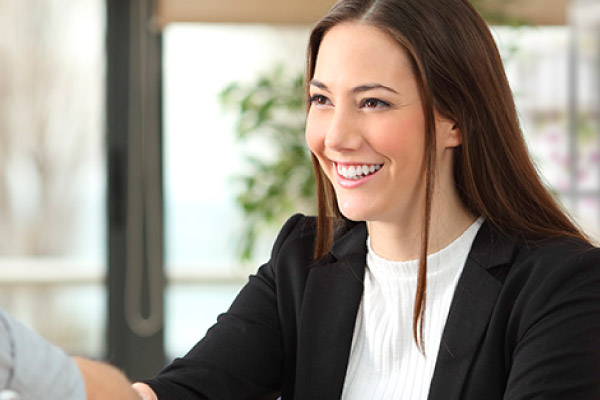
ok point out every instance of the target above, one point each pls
(439, 266)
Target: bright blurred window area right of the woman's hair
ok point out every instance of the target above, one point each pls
(553, 74)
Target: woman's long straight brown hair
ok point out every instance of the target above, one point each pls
(459, 73)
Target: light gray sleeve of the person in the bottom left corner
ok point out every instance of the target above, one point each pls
(34, 368)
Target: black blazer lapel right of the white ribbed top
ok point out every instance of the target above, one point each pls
(472, 305)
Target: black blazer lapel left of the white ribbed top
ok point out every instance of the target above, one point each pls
(332, 296)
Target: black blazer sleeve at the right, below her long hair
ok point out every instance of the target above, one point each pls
(557, 355)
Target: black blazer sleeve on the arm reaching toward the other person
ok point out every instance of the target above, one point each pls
(241, 356)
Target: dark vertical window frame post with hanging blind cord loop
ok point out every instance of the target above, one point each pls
(135, 226)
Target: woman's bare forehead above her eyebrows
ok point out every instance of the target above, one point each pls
(354, 51)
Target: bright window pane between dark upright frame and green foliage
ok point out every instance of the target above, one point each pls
(202, 222)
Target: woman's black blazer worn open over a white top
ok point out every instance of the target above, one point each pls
(524, 324)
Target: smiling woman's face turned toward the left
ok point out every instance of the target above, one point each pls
(366, 124)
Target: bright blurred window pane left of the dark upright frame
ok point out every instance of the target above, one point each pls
(52, 169)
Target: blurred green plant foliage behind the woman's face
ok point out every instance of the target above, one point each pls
(279, 178)
